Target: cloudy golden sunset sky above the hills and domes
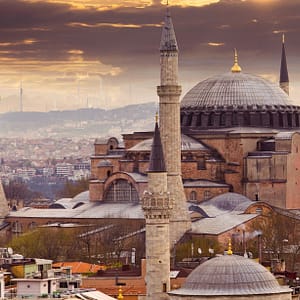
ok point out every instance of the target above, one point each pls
(104, 53)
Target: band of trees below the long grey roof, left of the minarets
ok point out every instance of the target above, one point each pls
(102, 241)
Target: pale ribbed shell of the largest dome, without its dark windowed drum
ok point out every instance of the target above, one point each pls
(235, 89)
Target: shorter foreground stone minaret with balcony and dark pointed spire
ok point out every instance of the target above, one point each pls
(157, 206)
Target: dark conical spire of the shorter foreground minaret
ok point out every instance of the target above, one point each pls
(157, 161)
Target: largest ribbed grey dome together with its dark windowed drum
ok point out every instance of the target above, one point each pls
(238, 99)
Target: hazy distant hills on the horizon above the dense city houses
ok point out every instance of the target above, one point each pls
(83, 122)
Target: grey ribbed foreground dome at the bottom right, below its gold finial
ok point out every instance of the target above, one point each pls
(230, 275)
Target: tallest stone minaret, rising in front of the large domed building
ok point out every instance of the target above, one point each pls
(169, 112)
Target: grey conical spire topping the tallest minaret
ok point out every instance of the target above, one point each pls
(168, 39)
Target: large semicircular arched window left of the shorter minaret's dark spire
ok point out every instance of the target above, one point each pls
(121, 191)
